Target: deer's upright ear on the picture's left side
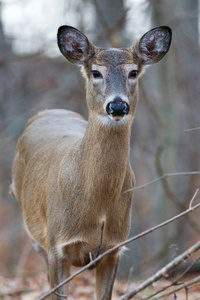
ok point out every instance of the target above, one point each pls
(74, 45)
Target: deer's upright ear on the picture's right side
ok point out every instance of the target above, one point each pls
(153, 45)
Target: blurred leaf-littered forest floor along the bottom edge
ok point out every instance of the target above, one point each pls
(82, 288)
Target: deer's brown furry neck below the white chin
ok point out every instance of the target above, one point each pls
(106, 158)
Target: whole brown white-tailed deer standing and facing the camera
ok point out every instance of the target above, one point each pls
(69, 176)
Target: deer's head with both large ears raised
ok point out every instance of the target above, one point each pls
(111, 73)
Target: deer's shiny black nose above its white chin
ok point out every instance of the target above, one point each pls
(117, 108)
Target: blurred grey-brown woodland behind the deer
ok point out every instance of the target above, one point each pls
(35, 76)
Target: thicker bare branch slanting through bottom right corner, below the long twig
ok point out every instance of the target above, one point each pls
(163, 272)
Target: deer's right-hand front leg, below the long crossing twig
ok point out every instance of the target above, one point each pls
(105, 276)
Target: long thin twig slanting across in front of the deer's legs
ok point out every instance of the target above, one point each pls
(120, 245)
